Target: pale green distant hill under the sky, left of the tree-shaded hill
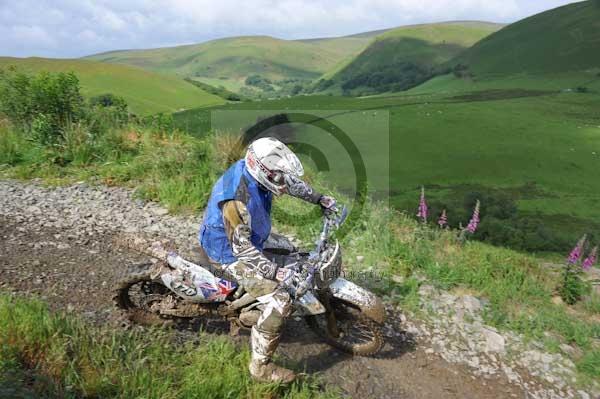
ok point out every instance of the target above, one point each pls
(238, 57)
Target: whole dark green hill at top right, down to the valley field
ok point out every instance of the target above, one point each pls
(554, 51)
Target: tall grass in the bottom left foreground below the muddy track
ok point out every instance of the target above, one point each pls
(52, 355)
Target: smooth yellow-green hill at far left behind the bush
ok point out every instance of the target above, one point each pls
(146, 92)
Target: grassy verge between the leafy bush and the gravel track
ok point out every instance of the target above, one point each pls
(175, 170)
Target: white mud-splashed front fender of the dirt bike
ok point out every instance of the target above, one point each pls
(369, 304)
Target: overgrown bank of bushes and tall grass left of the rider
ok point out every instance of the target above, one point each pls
(166, 165)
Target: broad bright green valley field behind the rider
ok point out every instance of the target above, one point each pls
(541, 147)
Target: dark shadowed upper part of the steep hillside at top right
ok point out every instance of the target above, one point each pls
(559, 40)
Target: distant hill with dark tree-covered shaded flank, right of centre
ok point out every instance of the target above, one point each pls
(405, 56)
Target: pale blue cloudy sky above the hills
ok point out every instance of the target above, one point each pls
(74, 28)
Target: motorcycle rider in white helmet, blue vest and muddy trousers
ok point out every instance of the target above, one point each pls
(236, 225)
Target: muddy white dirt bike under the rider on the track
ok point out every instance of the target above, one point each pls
(345, 315)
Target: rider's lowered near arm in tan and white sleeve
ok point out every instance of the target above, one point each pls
(237, 227)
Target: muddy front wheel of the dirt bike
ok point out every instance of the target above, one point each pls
(347, 329)
